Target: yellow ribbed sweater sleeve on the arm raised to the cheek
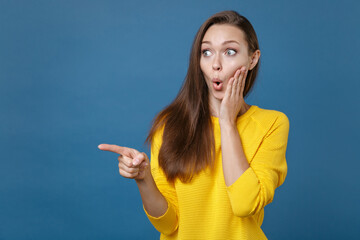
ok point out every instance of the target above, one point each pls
(255, 188)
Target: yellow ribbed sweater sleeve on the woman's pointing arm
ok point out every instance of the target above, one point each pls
(167, 223)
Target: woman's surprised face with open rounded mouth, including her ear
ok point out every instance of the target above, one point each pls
(223, 51)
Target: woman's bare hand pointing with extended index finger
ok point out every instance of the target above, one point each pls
(132, 163)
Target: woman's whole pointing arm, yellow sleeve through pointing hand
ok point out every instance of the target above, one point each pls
(158, 196)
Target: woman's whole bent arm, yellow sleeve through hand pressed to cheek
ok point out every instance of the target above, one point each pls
(251, 186)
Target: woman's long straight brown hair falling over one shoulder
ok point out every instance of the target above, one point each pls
(188, 139)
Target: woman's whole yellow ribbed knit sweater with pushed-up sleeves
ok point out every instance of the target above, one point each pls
(206, 208)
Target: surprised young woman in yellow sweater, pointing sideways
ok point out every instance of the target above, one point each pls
(215, 160)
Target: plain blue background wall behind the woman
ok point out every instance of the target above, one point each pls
(74, 74)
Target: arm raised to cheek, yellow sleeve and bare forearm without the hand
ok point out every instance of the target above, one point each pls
(251, 188)
